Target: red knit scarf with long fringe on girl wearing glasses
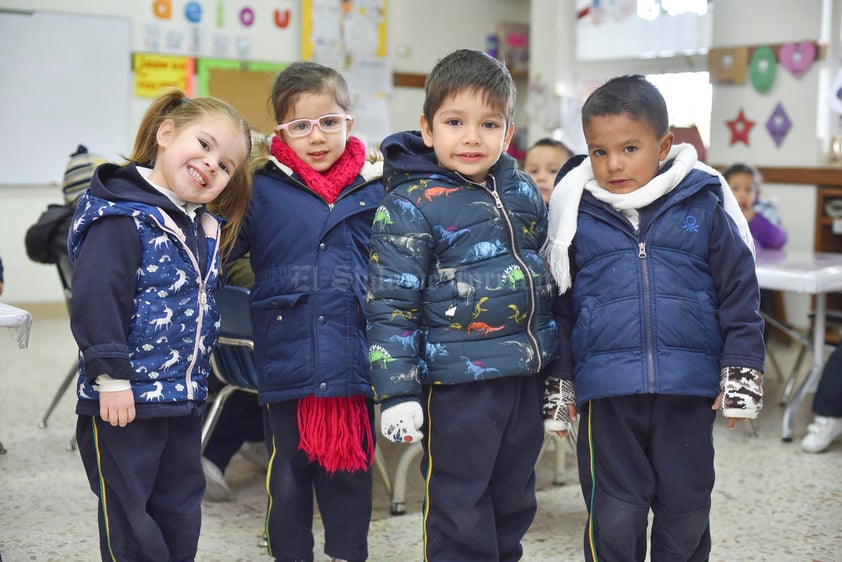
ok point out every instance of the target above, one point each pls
(335, 432)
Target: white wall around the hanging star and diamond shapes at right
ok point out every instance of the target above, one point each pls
(803, 99)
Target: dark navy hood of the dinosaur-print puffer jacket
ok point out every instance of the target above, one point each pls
(406, 155)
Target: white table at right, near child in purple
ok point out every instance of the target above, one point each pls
(808, 273)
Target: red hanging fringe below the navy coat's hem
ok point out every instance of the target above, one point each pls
(336, 432)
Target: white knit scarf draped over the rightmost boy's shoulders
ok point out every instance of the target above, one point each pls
(564, 204)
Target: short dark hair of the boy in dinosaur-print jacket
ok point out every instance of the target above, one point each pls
(474, 71)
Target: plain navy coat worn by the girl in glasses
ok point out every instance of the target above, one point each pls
(309, 259)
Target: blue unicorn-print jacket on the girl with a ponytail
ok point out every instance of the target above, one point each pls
(144, 279)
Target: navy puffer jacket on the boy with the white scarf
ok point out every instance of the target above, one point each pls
(662, 309)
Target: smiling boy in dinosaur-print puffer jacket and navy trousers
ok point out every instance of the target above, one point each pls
(459, 310)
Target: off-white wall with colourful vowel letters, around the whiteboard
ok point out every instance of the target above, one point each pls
(419, 33)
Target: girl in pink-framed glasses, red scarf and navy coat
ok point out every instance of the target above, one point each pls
(307, 231)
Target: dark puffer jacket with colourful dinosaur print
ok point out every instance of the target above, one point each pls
(457, 291)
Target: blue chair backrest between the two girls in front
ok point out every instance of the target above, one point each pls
(233, 356)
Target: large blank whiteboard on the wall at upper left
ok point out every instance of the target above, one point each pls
(65, 80)
